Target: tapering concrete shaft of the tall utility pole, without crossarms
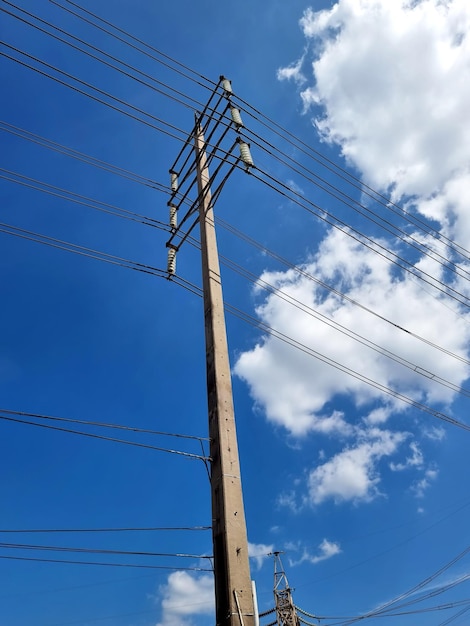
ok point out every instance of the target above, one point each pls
(233, 589)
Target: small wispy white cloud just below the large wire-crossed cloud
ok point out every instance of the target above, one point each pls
(352, 473)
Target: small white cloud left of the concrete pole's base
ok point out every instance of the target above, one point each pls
(185, 596)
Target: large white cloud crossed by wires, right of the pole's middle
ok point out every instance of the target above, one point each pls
(295, 389)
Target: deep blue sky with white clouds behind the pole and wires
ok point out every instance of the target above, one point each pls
(366, 495)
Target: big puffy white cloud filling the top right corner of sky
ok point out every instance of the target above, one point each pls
(391, 79)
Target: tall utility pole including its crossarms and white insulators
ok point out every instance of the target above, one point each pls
(210, 139)
